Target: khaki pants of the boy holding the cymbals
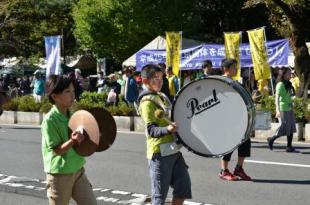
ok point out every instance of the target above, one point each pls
(61, 187)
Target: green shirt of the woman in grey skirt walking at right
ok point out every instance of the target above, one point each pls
(285, 100)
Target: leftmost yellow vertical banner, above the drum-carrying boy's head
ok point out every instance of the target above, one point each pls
(173, 50)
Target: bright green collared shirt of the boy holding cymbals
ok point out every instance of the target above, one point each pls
(54, 129)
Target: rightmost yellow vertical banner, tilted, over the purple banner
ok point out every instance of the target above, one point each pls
(259, 54)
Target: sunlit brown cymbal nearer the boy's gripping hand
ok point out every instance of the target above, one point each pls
(88, 123)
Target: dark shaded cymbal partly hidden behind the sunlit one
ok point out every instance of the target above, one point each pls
(107, 128)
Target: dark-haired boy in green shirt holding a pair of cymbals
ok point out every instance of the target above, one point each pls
(65, 174)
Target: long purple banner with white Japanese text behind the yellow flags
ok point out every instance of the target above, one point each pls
(192, 58)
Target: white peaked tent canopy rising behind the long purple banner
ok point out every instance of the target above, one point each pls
(159, 43)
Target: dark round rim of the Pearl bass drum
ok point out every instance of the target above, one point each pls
(219, 78)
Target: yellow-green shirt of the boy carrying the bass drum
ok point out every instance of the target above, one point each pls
(147, 110)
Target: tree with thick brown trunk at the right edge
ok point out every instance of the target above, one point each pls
(291, 18)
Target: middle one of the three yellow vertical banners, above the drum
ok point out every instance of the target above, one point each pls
(232, 43)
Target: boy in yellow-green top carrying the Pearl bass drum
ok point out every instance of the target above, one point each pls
(166, 164)
